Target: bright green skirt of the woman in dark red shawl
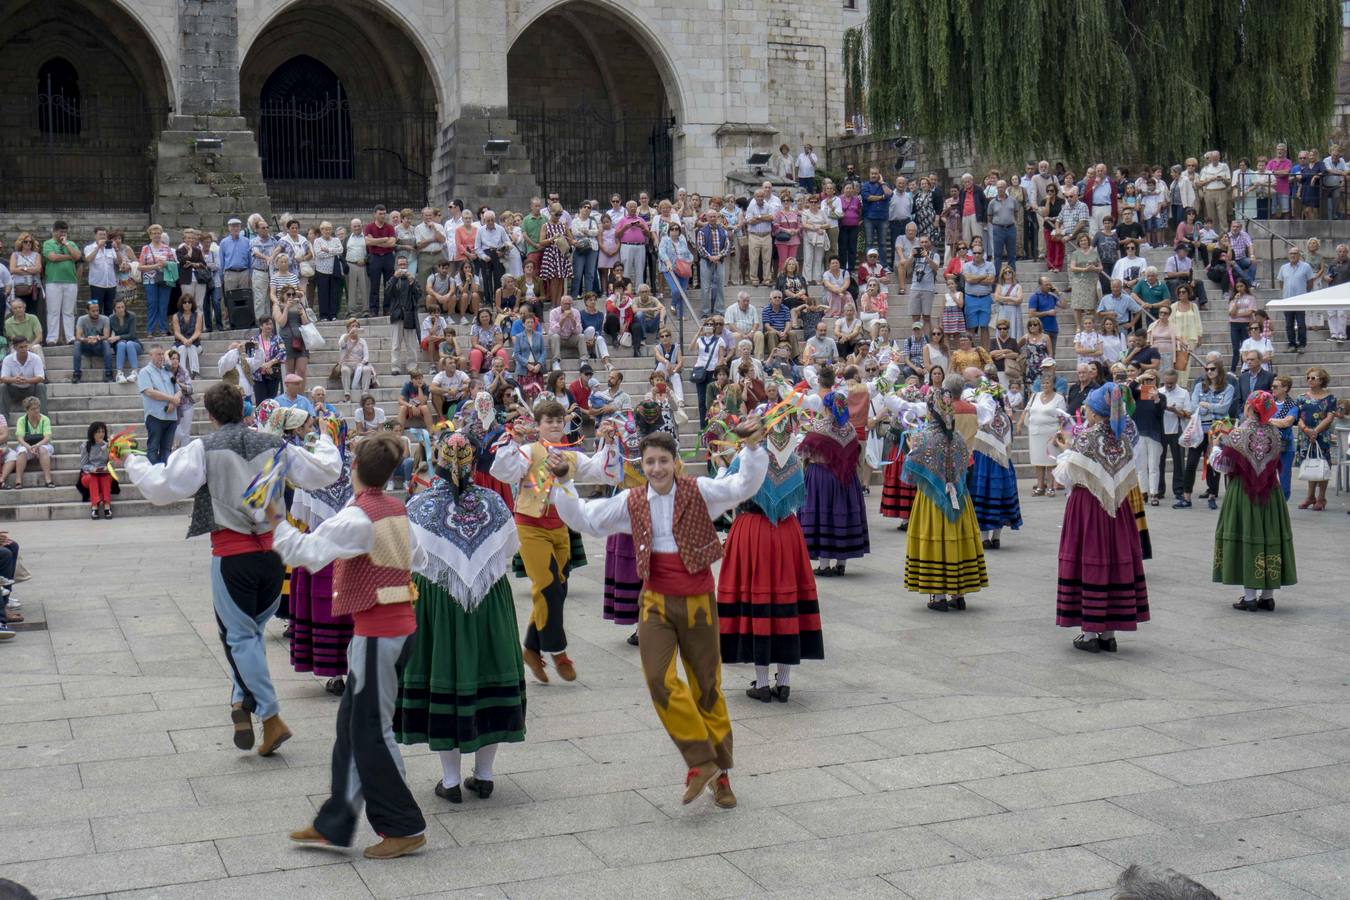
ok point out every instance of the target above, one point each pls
(1253, 544)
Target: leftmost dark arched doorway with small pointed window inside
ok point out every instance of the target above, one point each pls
(82, 113)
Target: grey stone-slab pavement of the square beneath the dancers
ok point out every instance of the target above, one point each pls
(929, 756)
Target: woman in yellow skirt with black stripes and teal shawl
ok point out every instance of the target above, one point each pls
(944, 558)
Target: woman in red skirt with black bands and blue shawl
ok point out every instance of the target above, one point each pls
(767, 608)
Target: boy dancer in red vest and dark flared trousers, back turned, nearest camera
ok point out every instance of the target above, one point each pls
(371, 542)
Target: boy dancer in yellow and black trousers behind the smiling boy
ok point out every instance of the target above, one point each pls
(545, 543)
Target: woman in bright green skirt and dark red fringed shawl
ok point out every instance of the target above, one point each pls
(1253, 544)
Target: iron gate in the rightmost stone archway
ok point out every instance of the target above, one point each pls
(584, 154)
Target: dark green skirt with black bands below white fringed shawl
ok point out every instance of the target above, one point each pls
(465, 685)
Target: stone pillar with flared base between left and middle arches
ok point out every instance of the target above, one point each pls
(209, 167)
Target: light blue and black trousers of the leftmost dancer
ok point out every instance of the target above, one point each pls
(245, 593)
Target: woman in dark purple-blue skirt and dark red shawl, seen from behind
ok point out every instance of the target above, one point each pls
(834, 516)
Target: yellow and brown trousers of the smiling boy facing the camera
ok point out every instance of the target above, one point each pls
(695, 714)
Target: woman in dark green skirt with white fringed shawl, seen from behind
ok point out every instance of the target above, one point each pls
(464, 690)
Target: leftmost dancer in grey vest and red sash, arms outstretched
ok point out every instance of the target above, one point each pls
(245, 574)
